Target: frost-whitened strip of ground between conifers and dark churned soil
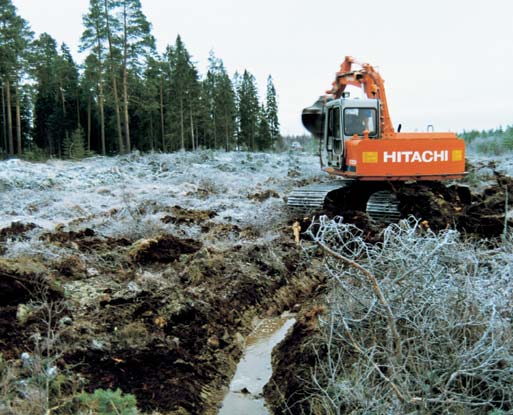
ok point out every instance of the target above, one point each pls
(128, 195)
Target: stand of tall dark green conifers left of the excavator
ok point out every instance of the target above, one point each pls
(125, 95)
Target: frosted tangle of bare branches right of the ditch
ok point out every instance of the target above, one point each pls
(420, 323)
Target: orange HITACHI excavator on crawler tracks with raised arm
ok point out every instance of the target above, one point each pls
(358, 144)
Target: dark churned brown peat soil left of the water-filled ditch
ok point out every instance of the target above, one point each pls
(166, 317)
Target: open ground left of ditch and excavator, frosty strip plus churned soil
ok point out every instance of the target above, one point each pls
(160, 290)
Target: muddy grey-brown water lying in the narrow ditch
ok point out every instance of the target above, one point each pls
(254, 370)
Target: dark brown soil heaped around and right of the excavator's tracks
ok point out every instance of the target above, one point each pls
(481, 215)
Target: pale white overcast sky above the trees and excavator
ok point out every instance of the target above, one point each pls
(445, 62)
